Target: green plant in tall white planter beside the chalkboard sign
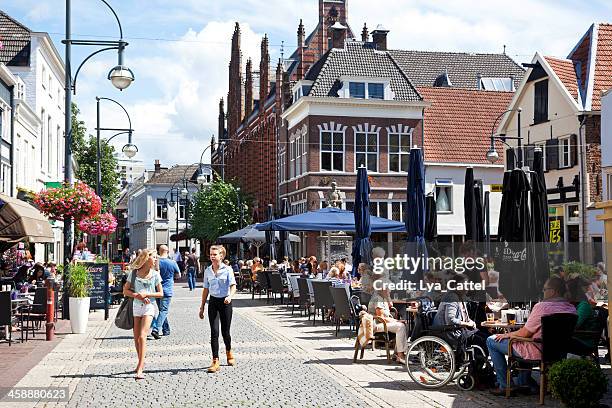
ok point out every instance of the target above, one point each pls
(79, 283)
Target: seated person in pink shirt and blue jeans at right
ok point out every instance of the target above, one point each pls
(554, 302)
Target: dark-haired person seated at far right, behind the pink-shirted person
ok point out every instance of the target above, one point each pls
(587, 321)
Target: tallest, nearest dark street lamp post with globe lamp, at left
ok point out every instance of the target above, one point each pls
(120, 76)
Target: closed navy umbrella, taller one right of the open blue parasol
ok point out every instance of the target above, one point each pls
(415, 211)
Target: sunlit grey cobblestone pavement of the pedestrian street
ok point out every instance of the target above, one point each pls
(282, 360)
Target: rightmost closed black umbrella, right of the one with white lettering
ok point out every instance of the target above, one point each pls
(539, 217)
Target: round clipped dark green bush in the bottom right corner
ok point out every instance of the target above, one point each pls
(577, 383)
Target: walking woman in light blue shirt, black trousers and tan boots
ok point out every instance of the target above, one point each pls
(219, 281)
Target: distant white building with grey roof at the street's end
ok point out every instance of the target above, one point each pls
(155, 213)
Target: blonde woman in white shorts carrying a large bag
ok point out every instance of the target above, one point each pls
(147, 285)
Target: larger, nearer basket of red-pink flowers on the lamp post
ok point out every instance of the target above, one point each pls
(78, 201)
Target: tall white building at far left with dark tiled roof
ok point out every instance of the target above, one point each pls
(39, 112)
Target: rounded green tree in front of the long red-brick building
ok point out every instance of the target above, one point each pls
(215, 212)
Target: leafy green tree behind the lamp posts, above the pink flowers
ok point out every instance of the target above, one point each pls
(85, 153)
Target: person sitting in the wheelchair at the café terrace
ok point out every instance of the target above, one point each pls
(453, 311)
